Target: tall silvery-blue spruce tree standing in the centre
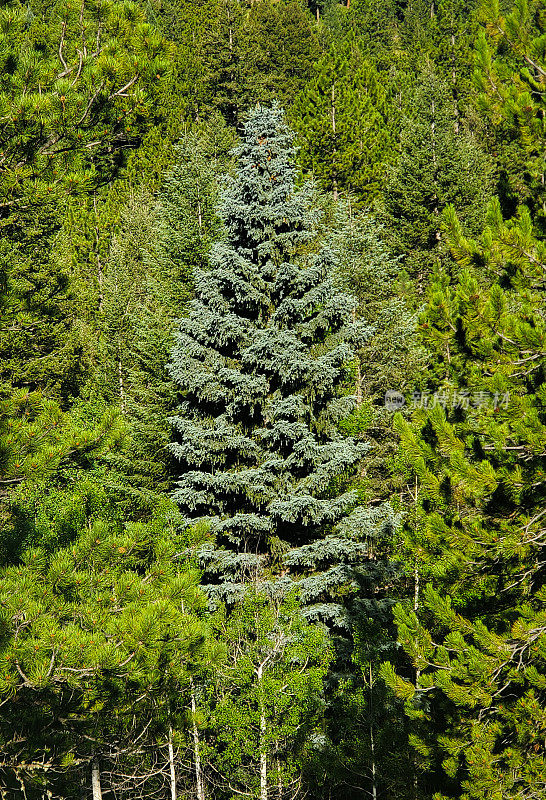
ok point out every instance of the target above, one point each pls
(261, 362)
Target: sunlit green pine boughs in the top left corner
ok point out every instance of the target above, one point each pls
(73, 91)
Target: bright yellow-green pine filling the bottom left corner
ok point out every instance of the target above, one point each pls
(99, 639)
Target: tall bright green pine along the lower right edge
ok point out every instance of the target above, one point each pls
(475, 460)
